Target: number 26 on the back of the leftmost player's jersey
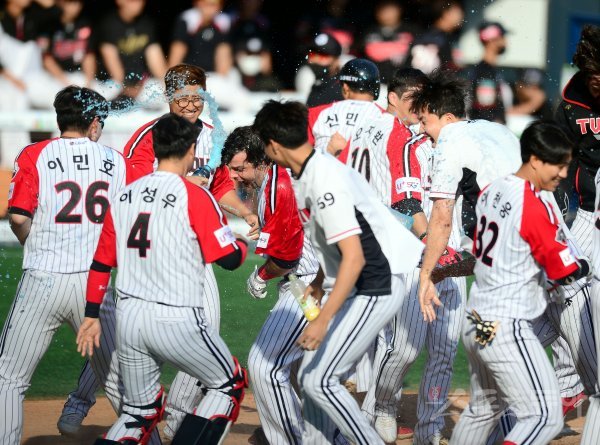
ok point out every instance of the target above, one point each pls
(95, 204)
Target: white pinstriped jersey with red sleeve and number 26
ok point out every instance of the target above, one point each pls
(65, 185)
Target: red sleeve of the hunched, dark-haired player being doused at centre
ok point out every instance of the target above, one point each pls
(282, 235)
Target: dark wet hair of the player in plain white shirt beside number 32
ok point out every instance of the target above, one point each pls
(443, 93)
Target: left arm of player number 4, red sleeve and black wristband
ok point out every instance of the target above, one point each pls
(105, 258)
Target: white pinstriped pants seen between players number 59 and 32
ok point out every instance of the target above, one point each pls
(406, 336)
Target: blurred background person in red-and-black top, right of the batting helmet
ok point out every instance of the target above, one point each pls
(388, 42)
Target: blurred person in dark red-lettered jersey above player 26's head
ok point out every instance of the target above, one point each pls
(69, 57)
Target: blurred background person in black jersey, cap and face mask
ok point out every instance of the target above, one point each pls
(486, 78)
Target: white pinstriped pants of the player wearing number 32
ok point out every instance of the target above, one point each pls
(512, 372)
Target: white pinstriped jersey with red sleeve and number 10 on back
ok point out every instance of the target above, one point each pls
(374, 151)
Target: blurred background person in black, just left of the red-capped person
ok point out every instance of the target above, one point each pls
(435, 47)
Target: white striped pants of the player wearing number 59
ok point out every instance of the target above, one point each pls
(326, 402)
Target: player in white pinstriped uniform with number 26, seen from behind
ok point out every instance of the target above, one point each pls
(58, 199)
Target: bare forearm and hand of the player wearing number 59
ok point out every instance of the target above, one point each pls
(351, 265)
